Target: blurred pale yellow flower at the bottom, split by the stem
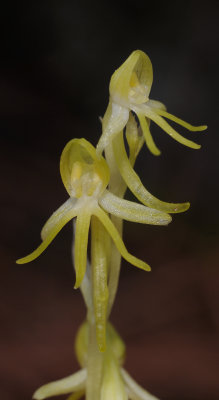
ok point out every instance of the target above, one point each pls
(116, 383)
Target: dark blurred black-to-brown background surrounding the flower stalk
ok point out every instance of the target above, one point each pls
(56, 61)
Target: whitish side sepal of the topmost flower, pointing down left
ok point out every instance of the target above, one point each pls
(114, 121)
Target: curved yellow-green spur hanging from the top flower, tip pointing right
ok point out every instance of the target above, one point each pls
(135, 185)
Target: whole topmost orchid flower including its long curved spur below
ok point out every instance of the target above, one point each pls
(129, 89)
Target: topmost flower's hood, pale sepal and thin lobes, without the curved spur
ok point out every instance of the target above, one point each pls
(129, 89)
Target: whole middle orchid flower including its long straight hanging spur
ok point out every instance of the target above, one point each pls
(85, 177)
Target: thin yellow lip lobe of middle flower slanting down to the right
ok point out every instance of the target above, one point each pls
(103, 217)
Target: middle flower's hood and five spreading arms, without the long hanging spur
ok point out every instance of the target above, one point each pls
(85, 177)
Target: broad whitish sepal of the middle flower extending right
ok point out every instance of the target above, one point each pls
(132, 211)
